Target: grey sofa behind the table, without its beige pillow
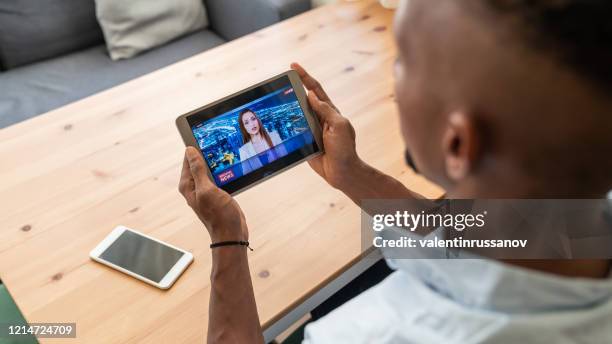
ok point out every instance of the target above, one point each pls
(79, 65)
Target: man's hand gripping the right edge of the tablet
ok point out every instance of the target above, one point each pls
(340, 158)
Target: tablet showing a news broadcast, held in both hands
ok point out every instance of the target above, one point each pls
(254, 134)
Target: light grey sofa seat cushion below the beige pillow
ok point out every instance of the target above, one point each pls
(40, 87)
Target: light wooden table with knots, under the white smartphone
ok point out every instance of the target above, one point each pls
(67, 178)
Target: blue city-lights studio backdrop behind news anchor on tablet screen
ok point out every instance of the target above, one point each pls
(220, 138)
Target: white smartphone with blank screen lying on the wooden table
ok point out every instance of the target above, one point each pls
(141, 256)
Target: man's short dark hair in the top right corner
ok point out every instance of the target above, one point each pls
(576, 32)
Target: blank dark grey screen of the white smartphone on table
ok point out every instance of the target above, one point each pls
(142, 256)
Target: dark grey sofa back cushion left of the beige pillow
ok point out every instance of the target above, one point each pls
(33, 30)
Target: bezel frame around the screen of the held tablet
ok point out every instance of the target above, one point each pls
(182, 123)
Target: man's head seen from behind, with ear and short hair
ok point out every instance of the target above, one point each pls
(508, 98)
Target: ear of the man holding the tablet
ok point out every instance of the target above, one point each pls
(459, 145)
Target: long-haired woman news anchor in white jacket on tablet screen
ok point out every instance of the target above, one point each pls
(257, 140)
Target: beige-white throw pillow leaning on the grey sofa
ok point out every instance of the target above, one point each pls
(131, 27)
